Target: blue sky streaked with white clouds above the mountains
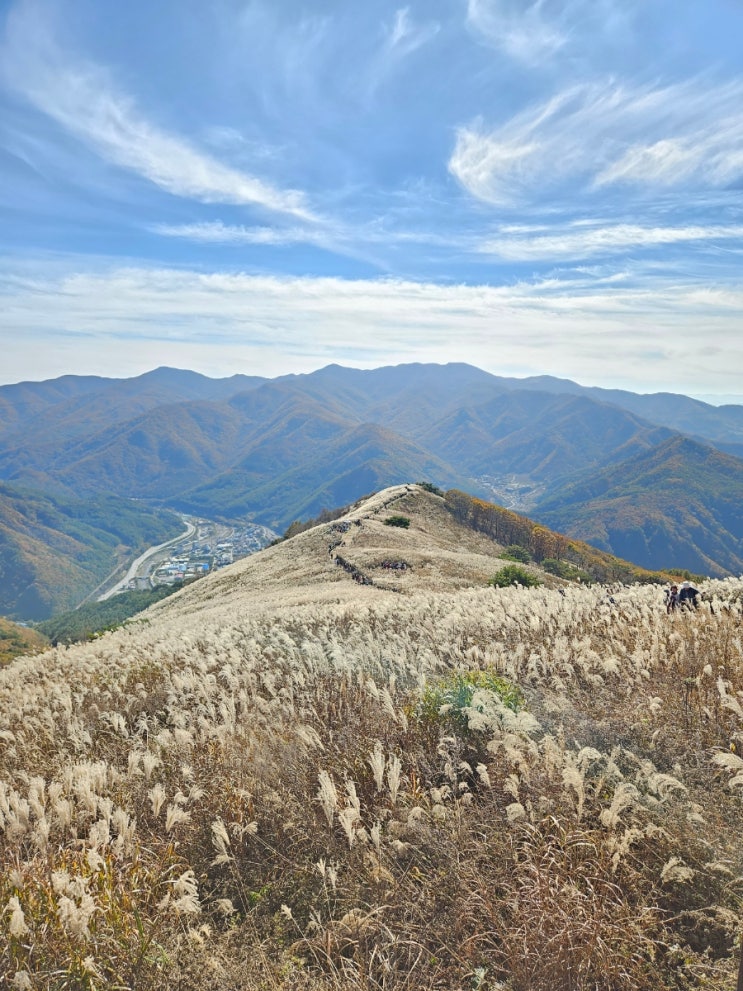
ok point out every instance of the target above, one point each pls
(270, 186)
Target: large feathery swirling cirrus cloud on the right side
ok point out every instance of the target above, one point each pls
(591, 137)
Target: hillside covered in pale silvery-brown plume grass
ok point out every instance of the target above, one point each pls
(318, 769)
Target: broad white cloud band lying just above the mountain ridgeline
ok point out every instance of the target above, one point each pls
(121, 322)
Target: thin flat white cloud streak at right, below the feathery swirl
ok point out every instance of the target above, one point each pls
(587, 240)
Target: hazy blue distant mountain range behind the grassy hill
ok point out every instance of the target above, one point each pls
(656, 479)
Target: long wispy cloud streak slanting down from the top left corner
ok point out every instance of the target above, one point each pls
(84, 100)
